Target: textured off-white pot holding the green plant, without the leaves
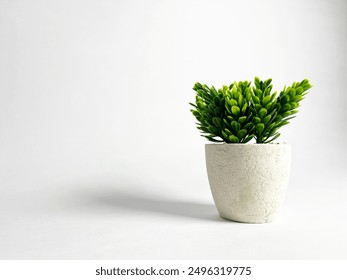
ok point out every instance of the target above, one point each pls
(248, 181)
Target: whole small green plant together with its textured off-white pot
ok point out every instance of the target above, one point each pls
(247, 181)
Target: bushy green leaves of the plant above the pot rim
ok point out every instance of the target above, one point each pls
(240, 112)
